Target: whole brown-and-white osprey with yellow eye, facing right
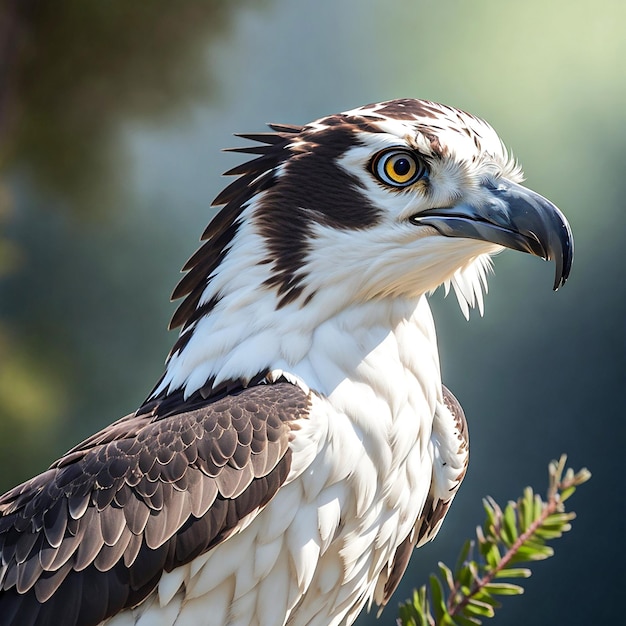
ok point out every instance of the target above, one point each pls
(300, 443)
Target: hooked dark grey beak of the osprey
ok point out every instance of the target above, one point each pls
(514, 217)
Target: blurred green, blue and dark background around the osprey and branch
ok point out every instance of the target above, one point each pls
(112, 115)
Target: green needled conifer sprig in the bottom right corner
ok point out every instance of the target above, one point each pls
(507, 538)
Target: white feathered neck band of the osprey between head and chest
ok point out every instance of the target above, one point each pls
(240, 338)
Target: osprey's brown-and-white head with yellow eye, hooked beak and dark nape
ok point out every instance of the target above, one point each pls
(386, 201)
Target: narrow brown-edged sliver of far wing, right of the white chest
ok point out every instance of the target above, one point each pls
(433, 514)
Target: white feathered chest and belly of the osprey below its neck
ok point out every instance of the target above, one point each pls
(361, 471)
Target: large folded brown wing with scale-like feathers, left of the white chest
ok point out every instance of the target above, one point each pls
(93, 534)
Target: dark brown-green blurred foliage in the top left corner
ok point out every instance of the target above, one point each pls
(76, 71)
